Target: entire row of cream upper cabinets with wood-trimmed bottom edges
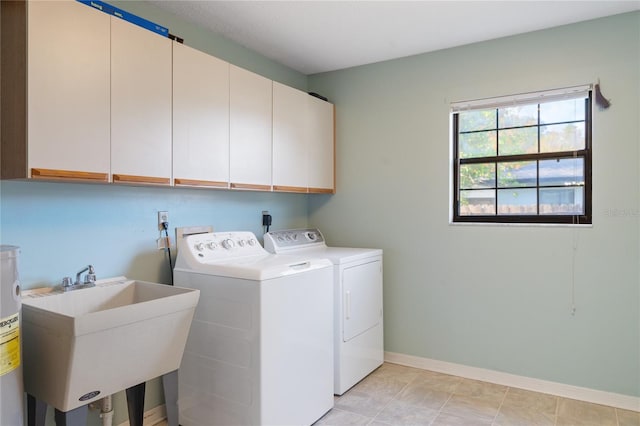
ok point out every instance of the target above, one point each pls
(109, 101)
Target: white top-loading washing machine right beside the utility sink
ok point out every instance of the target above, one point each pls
(260, 348)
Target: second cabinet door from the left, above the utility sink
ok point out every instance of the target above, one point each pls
(140, 105)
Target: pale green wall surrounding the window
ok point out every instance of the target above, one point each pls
(494, 297)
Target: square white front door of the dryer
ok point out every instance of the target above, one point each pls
(361, 298)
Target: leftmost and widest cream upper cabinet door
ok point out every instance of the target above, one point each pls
(68, 91)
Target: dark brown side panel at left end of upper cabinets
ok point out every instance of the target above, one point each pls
(13, 86)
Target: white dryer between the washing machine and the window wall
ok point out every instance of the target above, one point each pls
(358, 325)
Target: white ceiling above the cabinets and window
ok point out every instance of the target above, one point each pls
(318, 36)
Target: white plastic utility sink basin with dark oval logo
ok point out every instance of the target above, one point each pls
(85, 344)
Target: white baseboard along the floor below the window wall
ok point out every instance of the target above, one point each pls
(559, 389)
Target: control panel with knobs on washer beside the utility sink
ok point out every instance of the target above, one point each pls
(213, 246)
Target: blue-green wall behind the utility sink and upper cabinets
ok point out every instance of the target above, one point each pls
(62, 227)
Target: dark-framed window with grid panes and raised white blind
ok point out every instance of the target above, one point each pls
(523, 159)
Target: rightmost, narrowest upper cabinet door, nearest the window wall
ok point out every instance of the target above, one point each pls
(321, 146)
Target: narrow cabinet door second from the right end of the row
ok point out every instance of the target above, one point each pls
(289, 139)
